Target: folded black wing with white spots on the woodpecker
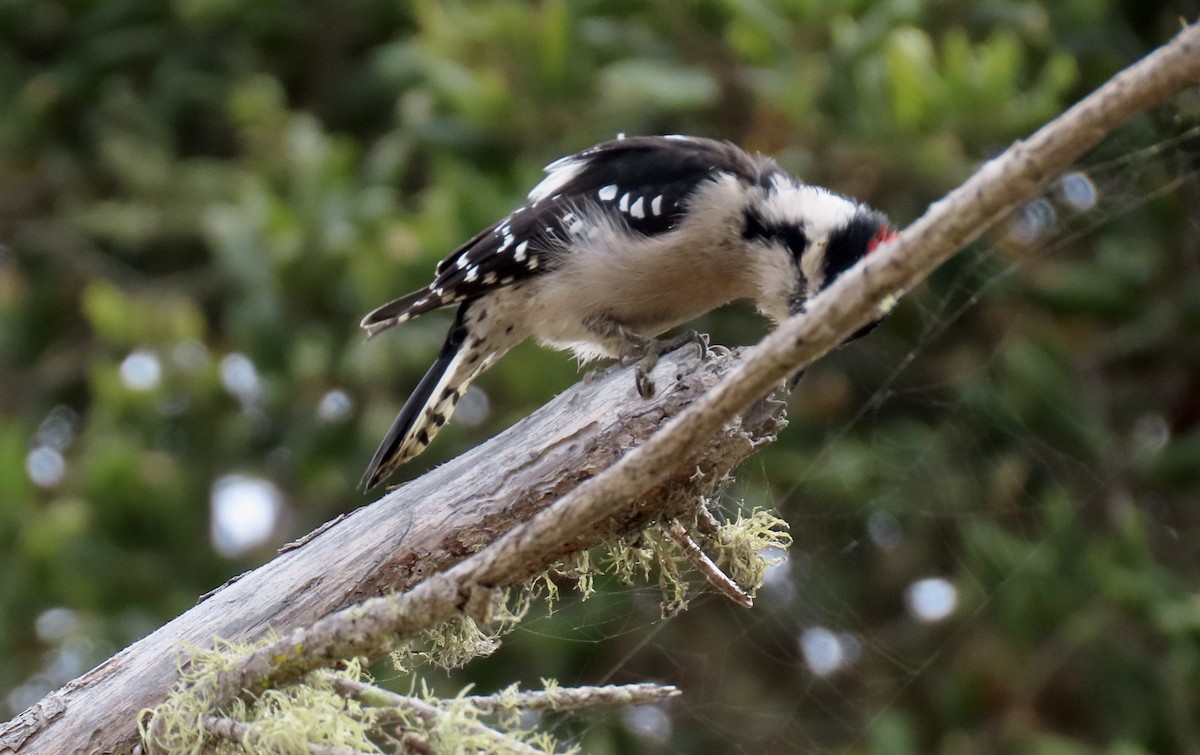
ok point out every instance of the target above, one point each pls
(644, 183)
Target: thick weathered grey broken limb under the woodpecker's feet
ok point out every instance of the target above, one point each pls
(417, 531)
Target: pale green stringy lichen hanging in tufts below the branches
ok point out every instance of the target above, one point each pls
(314, 712)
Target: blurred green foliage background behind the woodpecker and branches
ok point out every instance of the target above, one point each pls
(994, 498)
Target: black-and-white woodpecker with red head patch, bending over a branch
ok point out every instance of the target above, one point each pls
(619, 244)
